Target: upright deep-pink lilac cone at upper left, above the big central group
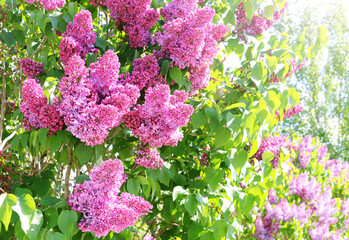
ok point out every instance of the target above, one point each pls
(78, 39)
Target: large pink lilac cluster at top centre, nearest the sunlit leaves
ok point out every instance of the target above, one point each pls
(190, 39)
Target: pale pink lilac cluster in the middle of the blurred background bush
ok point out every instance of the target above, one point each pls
(307, 190)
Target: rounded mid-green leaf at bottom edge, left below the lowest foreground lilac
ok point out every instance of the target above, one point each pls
(67, 222)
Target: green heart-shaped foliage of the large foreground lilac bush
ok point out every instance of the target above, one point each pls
(191, 198)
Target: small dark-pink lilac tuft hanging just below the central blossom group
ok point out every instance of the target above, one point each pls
(149, 158)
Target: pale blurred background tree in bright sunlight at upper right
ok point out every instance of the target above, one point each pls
(322, 82)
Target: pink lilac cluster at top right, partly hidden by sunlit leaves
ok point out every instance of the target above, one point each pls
(258, 23)
